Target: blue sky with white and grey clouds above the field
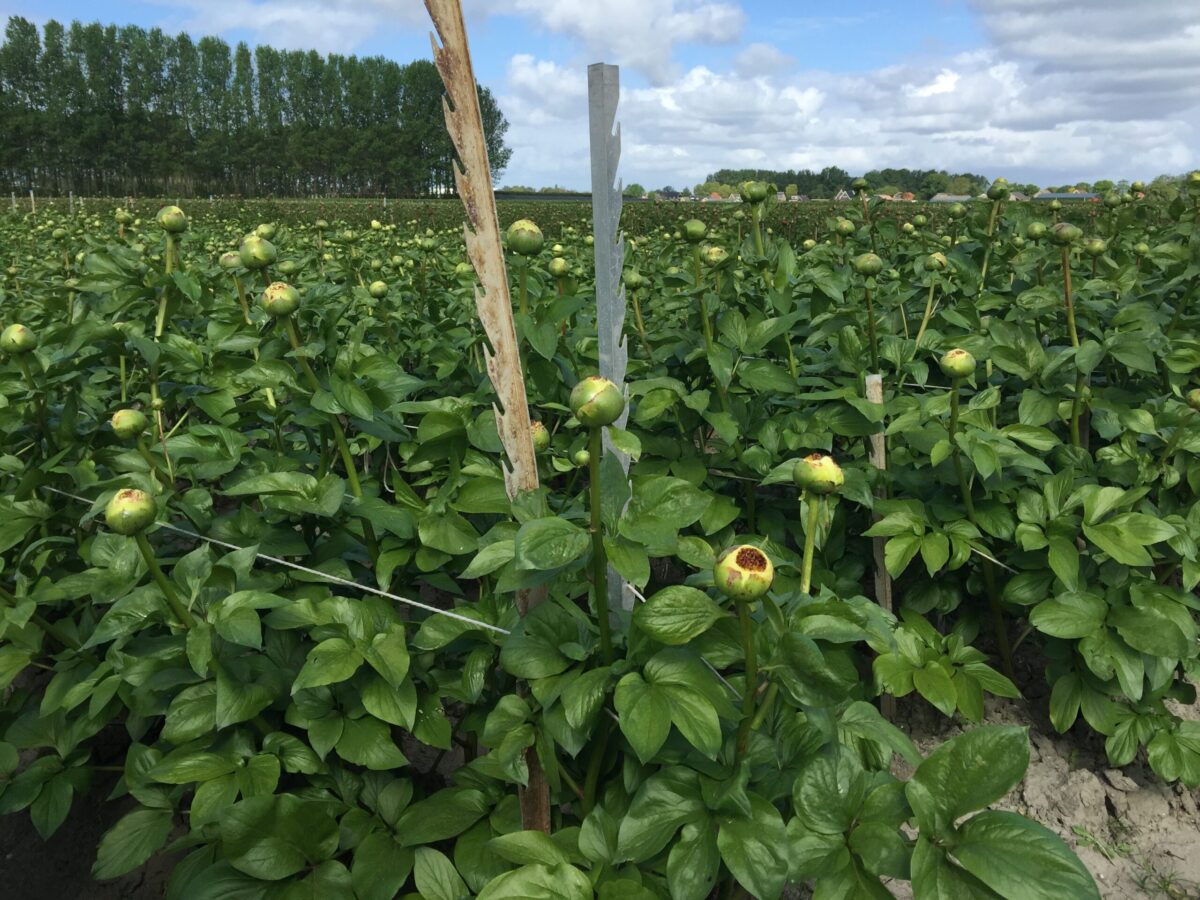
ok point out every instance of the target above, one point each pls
(1037, 91)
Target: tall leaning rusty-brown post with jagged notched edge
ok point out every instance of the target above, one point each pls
(482, 232)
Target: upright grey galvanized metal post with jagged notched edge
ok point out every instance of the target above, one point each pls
(604, 93)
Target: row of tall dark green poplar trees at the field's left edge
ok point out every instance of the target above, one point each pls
(107, 111)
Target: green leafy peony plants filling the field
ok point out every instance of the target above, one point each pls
(297, 733)
